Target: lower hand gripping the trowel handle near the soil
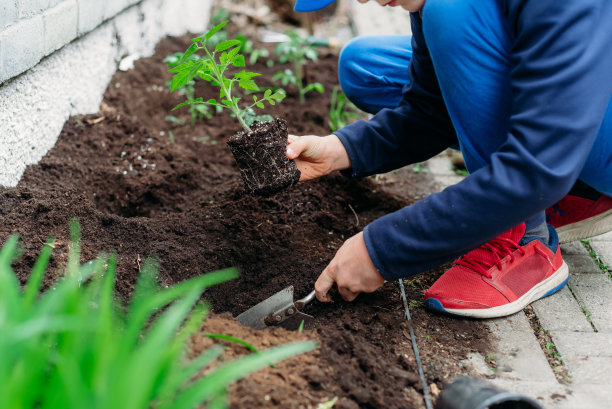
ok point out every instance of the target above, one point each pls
(352, 270)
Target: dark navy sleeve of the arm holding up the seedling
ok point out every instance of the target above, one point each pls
(417, 129)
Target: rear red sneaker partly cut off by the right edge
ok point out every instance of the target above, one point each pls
(577, 218)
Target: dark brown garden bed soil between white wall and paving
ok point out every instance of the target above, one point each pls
(143, 186)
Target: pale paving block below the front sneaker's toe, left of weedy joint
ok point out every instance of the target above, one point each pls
(518, 353)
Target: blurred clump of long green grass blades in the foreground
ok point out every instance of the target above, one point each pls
(75, 346)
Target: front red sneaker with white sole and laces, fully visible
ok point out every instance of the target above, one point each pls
(500, 277)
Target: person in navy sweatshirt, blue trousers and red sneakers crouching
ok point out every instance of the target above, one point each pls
(523, 87)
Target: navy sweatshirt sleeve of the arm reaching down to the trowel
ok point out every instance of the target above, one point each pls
(562, 83)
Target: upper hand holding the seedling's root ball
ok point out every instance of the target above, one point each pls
(317, 156)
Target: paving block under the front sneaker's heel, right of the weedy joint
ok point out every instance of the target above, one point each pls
(561, 312)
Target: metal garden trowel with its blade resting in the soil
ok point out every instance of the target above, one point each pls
(278, 310)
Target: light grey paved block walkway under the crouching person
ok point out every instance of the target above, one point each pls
(578, 318)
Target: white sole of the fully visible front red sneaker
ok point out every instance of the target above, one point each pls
(549, 286)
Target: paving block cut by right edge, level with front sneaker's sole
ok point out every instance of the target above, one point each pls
(594, 292)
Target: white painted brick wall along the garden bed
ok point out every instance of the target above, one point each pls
(35, 104)
